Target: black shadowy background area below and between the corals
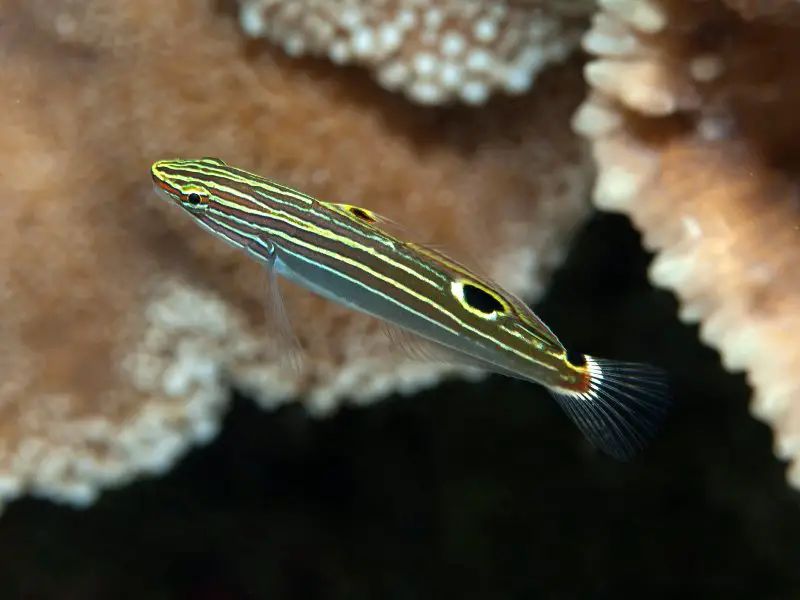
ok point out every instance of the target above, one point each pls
(467, 491)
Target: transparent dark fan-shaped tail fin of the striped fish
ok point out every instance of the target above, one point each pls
(619, 405)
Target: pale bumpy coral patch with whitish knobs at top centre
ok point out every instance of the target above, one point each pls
(434, 51)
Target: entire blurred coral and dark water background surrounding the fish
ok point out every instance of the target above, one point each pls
(150, 445)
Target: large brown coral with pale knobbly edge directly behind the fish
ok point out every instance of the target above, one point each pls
(123, 322)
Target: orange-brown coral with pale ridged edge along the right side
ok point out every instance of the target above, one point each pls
(694, 126)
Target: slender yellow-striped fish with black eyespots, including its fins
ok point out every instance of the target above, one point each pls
(367, 263)
